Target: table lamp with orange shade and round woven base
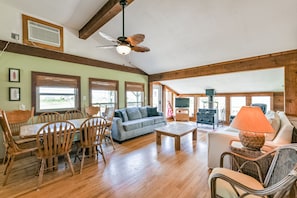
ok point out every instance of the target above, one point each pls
(253, 125)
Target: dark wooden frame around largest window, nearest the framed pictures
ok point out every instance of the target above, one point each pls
(34, 87)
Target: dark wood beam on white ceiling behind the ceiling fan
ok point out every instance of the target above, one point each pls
(107, 12)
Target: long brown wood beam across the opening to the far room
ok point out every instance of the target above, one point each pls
(247, 64)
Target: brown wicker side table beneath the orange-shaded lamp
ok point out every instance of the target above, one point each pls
(250, 168)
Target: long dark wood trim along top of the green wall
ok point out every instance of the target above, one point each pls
(43, 53)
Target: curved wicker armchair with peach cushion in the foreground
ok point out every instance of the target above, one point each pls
(280, 180)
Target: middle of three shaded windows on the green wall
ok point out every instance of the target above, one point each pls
(103, 93)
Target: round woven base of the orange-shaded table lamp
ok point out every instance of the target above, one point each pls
(252, 141)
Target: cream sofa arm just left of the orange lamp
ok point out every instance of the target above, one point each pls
(217, 144)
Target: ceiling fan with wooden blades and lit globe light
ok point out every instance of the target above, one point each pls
(125, 44)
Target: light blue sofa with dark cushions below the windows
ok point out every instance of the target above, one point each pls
(135, 121)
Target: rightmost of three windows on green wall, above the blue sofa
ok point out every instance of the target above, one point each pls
(134, 94)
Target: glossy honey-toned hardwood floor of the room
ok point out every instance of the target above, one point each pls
(138, 168)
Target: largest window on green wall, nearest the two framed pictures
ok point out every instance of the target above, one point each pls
(54, 92)
